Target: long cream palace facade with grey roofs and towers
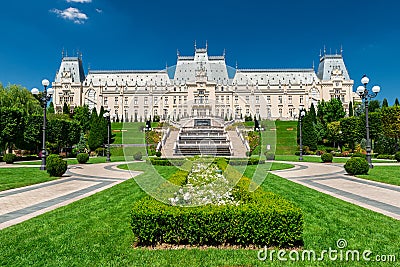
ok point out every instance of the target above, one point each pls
(203, 85)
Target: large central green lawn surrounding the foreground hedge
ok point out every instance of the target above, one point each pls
(96, 232)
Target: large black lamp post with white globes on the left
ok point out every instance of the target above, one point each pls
(44, 98)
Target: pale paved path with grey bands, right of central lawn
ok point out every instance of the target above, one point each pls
(332, 179)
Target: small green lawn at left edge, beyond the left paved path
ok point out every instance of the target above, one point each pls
(18, 177)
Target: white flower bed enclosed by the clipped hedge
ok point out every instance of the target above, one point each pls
(205, 185)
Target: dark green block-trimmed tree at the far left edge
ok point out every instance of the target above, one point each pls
(11, 127)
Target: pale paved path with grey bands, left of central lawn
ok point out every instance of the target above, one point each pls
(80, 181)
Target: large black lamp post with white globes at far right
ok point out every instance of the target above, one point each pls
(365, 95)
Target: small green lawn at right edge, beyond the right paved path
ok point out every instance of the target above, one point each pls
(384, 174)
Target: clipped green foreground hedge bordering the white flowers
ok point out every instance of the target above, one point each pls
(261, 218)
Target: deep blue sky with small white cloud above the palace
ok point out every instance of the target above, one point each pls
(146, 34)
